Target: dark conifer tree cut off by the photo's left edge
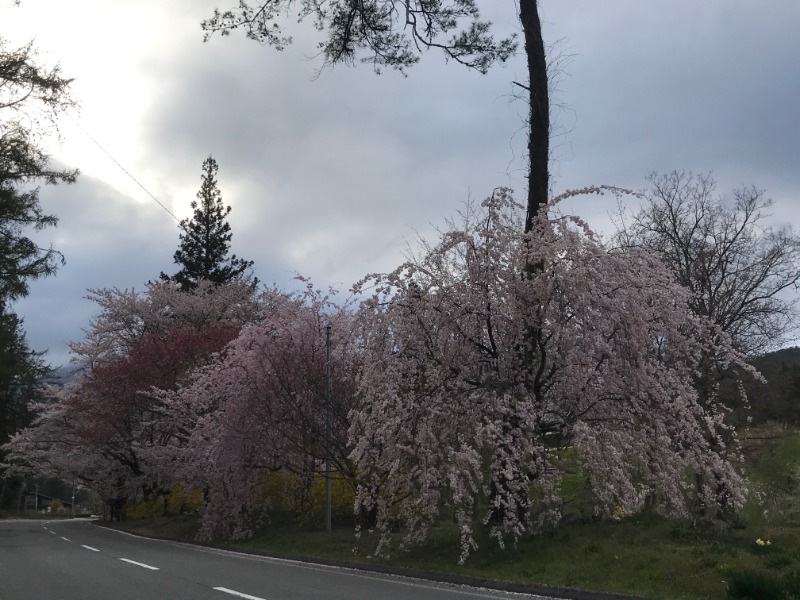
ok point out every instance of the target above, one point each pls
(31, 96)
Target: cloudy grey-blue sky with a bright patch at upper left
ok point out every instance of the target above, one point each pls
(331, 174)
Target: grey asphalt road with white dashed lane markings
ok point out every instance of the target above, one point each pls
(75, 560)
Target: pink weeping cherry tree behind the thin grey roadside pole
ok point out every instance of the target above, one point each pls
(261, 408)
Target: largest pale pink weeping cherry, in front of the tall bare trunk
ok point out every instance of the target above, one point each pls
(478, 369)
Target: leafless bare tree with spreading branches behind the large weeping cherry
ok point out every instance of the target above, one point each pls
(740, 270)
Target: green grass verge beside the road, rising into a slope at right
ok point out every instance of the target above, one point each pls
(644, 555)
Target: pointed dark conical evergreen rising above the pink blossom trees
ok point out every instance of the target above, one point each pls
(205, 241)
